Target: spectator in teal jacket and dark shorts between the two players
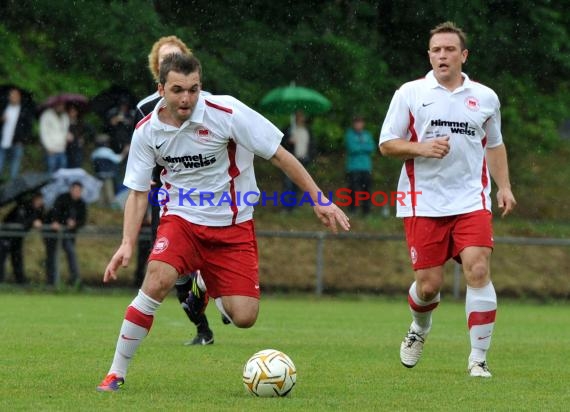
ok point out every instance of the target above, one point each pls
(359, 149)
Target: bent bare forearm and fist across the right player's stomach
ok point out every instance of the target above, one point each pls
(436, 148)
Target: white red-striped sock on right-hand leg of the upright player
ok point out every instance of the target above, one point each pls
(480, 308)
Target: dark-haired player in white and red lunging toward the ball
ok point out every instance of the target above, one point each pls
(206, 145)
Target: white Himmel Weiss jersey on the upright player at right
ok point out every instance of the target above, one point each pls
(459, 183)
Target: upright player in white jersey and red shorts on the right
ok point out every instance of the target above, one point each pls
(447, 128)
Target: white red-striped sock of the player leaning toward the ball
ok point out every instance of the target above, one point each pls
(136, 325)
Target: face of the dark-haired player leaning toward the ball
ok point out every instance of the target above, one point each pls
(181, 94)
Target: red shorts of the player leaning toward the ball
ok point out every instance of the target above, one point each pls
(226, 256)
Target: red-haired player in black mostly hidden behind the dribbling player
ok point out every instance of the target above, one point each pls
(193, 304)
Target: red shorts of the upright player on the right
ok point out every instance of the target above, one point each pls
(432, 241)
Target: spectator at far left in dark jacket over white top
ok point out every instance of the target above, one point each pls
(16, 127)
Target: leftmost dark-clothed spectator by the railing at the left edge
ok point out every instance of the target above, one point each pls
(22, 218)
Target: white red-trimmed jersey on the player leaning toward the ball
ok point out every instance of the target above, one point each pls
(208, 176)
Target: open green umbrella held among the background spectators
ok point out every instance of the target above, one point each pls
(284, 100)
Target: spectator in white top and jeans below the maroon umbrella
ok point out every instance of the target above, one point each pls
(54, 134)
